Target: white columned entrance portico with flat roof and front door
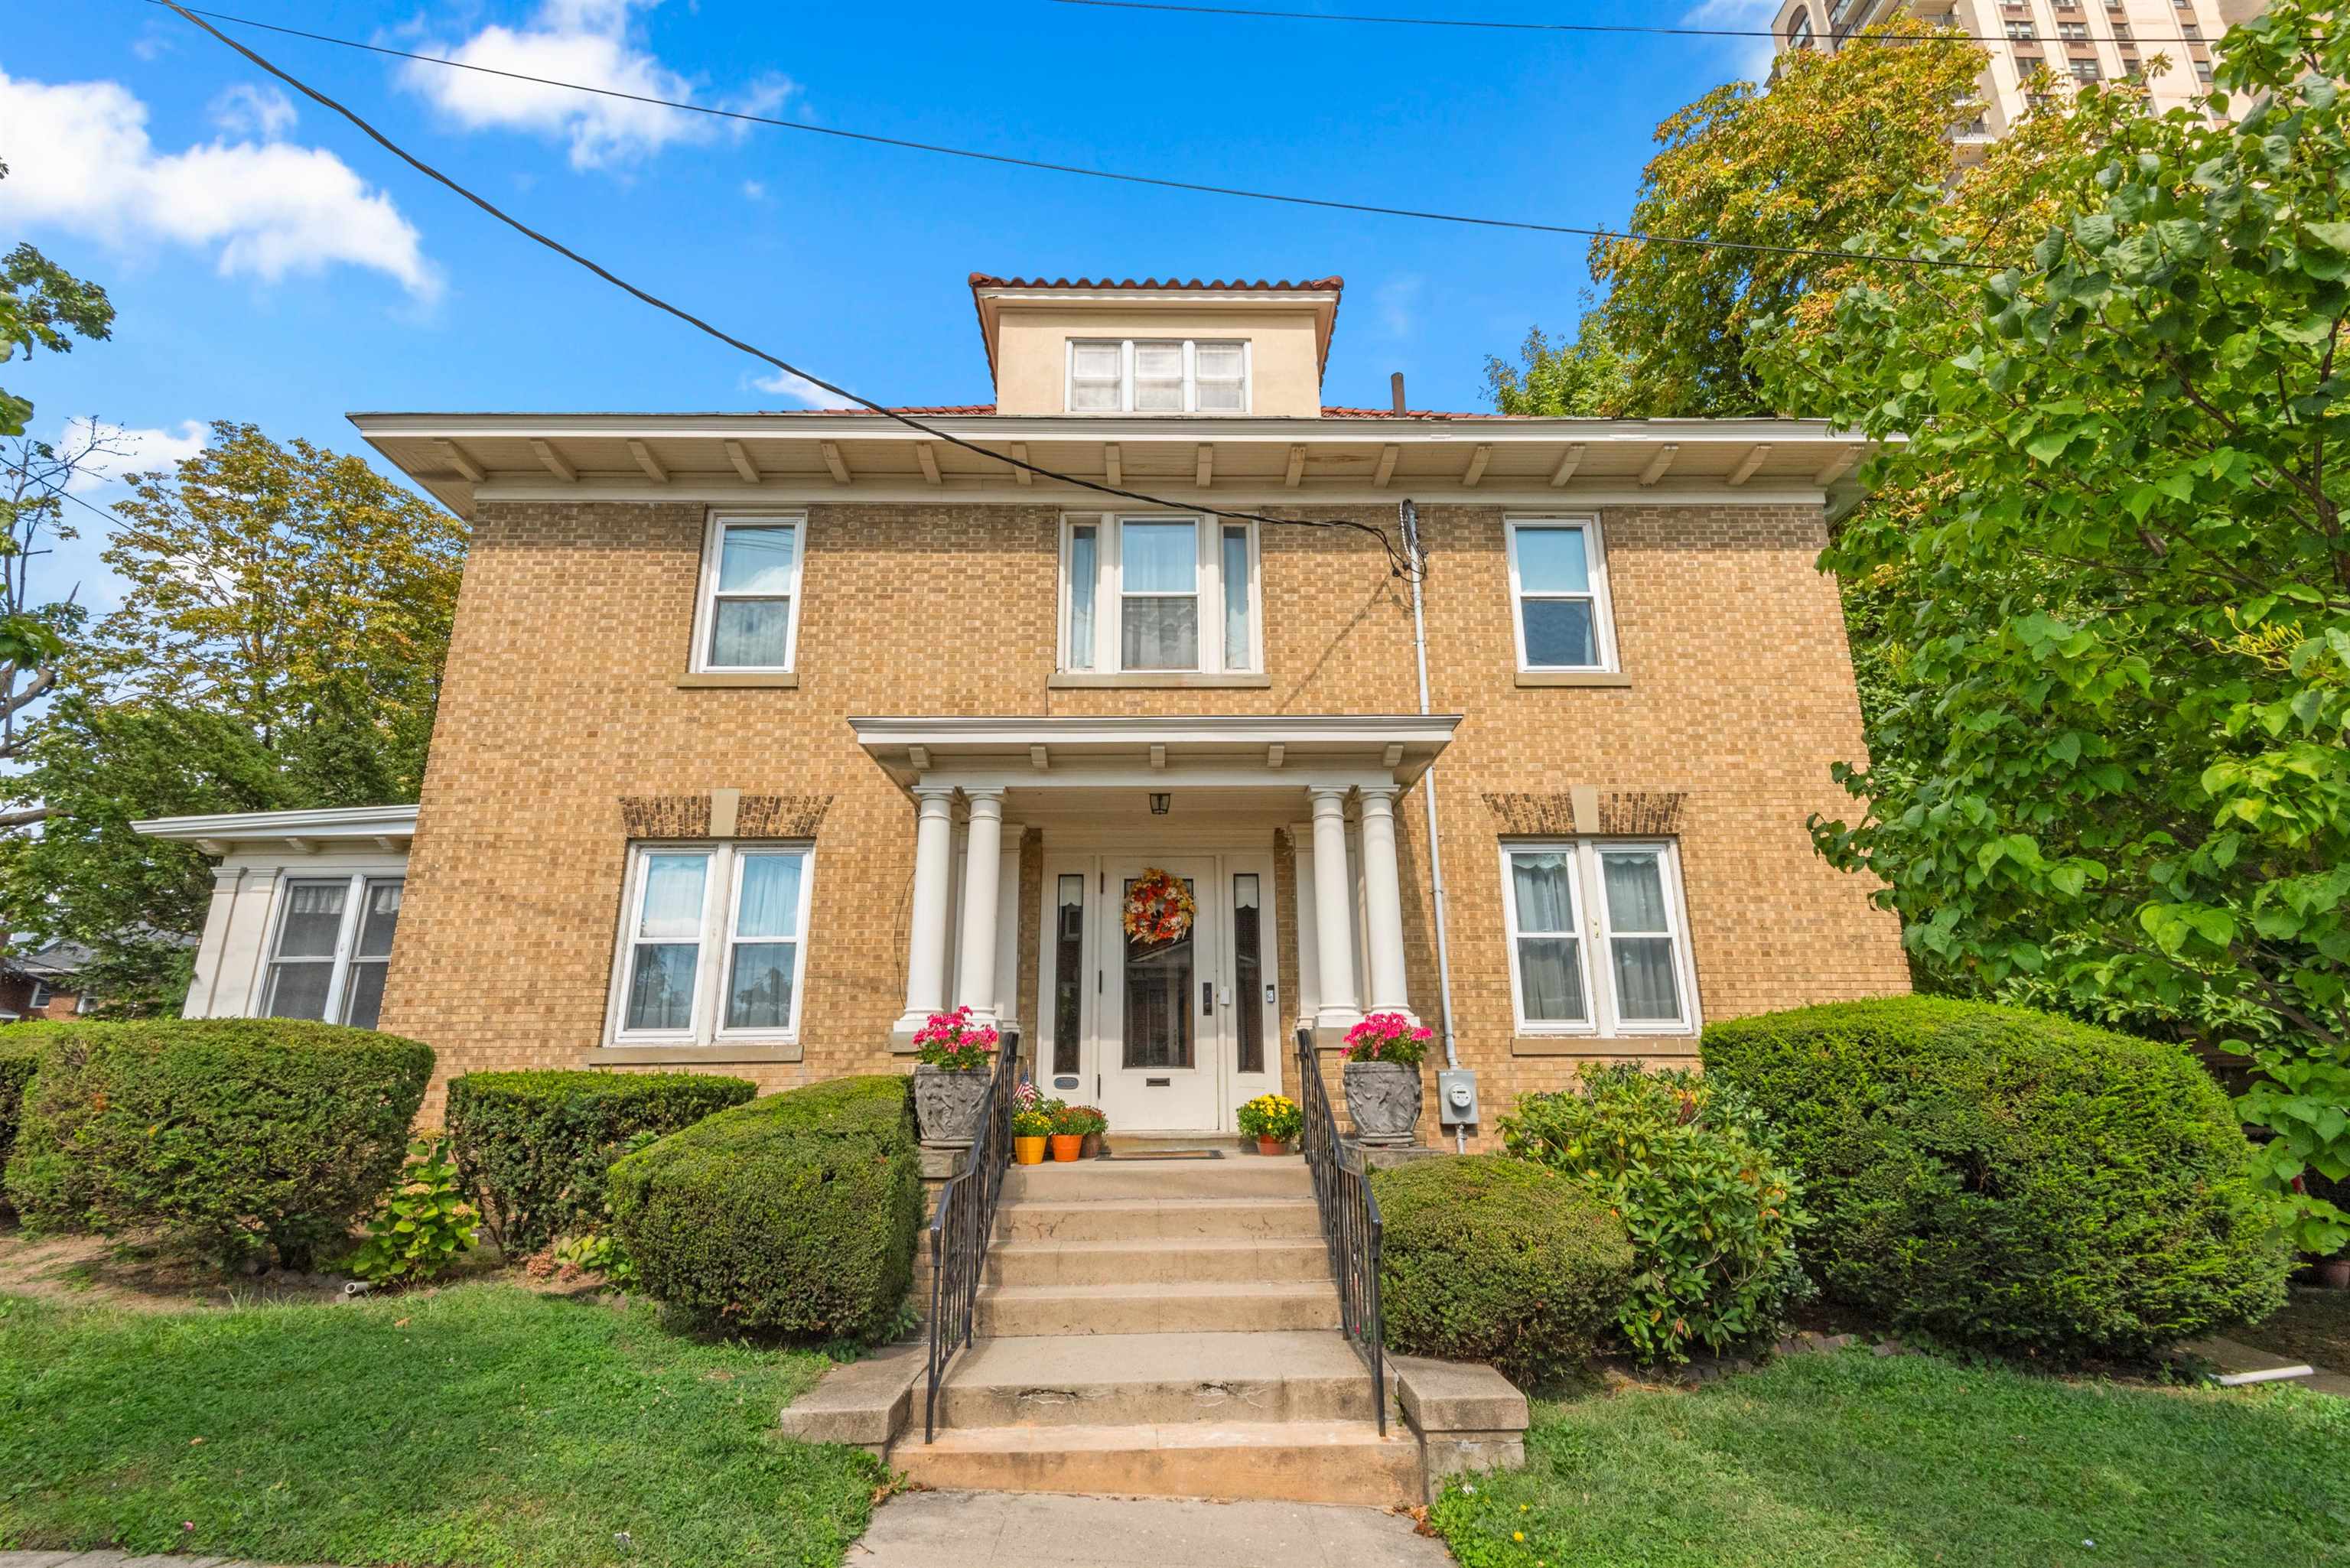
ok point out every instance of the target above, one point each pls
(1164, 1036)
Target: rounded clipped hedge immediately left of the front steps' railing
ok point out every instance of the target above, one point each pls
(791, 1217)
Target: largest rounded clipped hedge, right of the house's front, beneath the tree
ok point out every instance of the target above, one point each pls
(2010, 1179)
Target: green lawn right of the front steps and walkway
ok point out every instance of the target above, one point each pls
(1891, 1463)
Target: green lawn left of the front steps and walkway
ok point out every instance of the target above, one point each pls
(476, 1426)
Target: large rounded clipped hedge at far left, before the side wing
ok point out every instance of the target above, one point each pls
(229, 1132)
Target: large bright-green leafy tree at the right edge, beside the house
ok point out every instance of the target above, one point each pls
(2128, 617)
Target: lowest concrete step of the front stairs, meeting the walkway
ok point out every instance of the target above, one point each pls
(1305, 1461)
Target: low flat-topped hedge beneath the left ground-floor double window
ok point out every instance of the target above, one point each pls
(532, 1148)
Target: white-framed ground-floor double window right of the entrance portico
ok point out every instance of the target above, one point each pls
(1597, 939)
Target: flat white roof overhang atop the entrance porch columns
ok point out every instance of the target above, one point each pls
(1211, 751)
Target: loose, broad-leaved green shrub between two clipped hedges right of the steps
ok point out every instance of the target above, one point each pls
(1710, 1207)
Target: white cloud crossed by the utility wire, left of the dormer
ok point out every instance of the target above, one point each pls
(577, 41)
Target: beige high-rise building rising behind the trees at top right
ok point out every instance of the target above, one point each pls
(2069, 39)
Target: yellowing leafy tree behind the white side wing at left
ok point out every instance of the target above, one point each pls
(281, 645)
